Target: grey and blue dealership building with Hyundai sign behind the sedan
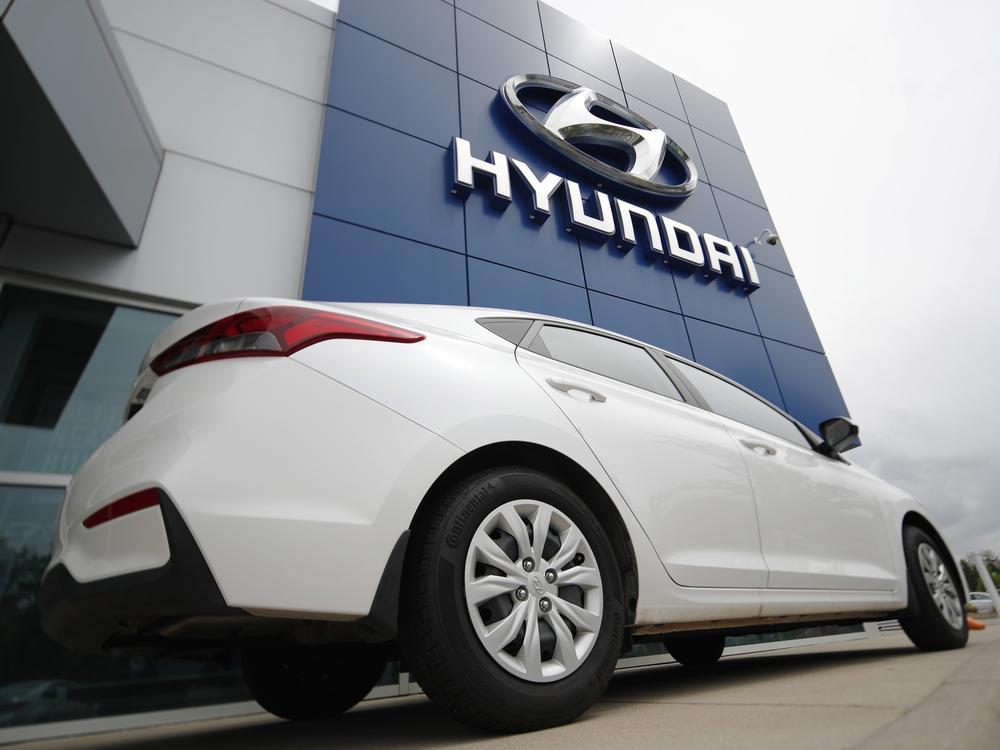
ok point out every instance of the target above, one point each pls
(157, 155)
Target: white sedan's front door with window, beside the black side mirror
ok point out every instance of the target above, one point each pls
(820, 527)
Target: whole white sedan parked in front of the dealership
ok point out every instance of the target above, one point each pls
(507, 501)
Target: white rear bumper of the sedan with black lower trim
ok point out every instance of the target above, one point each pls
(284, 489)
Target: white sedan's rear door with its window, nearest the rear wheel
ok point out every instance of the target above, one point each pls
(673, 462)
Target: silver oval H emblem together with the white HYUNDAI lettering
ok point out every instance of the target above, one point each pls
(571, 120)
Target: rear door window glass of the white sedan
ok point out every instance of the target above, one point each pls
(605, 356)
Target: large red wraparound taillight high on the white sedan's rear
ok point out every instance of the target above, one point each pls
(273, 332)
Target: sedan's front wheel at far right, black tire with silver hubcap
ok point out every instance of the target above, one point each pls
(938, 625)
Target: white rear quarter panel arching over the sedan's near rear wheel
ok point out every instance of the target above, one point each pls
(475, 395)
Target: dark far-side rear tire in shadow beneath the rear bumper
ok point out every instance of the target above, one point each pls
(301, 683)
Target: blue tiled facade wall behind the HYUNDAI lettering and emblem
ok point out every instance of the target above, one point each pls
(387, 227)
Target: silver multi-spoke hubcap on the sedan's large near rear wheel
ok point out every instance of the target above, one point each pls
(537, 625)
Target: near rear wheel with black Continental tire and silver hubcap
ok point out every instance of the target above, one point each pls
(513, 687)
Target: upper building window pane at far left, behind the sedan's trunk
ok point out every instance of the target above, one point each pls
(66, 368)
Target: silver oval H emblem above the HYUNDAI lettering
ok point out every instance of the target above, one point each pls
(571, 120)
